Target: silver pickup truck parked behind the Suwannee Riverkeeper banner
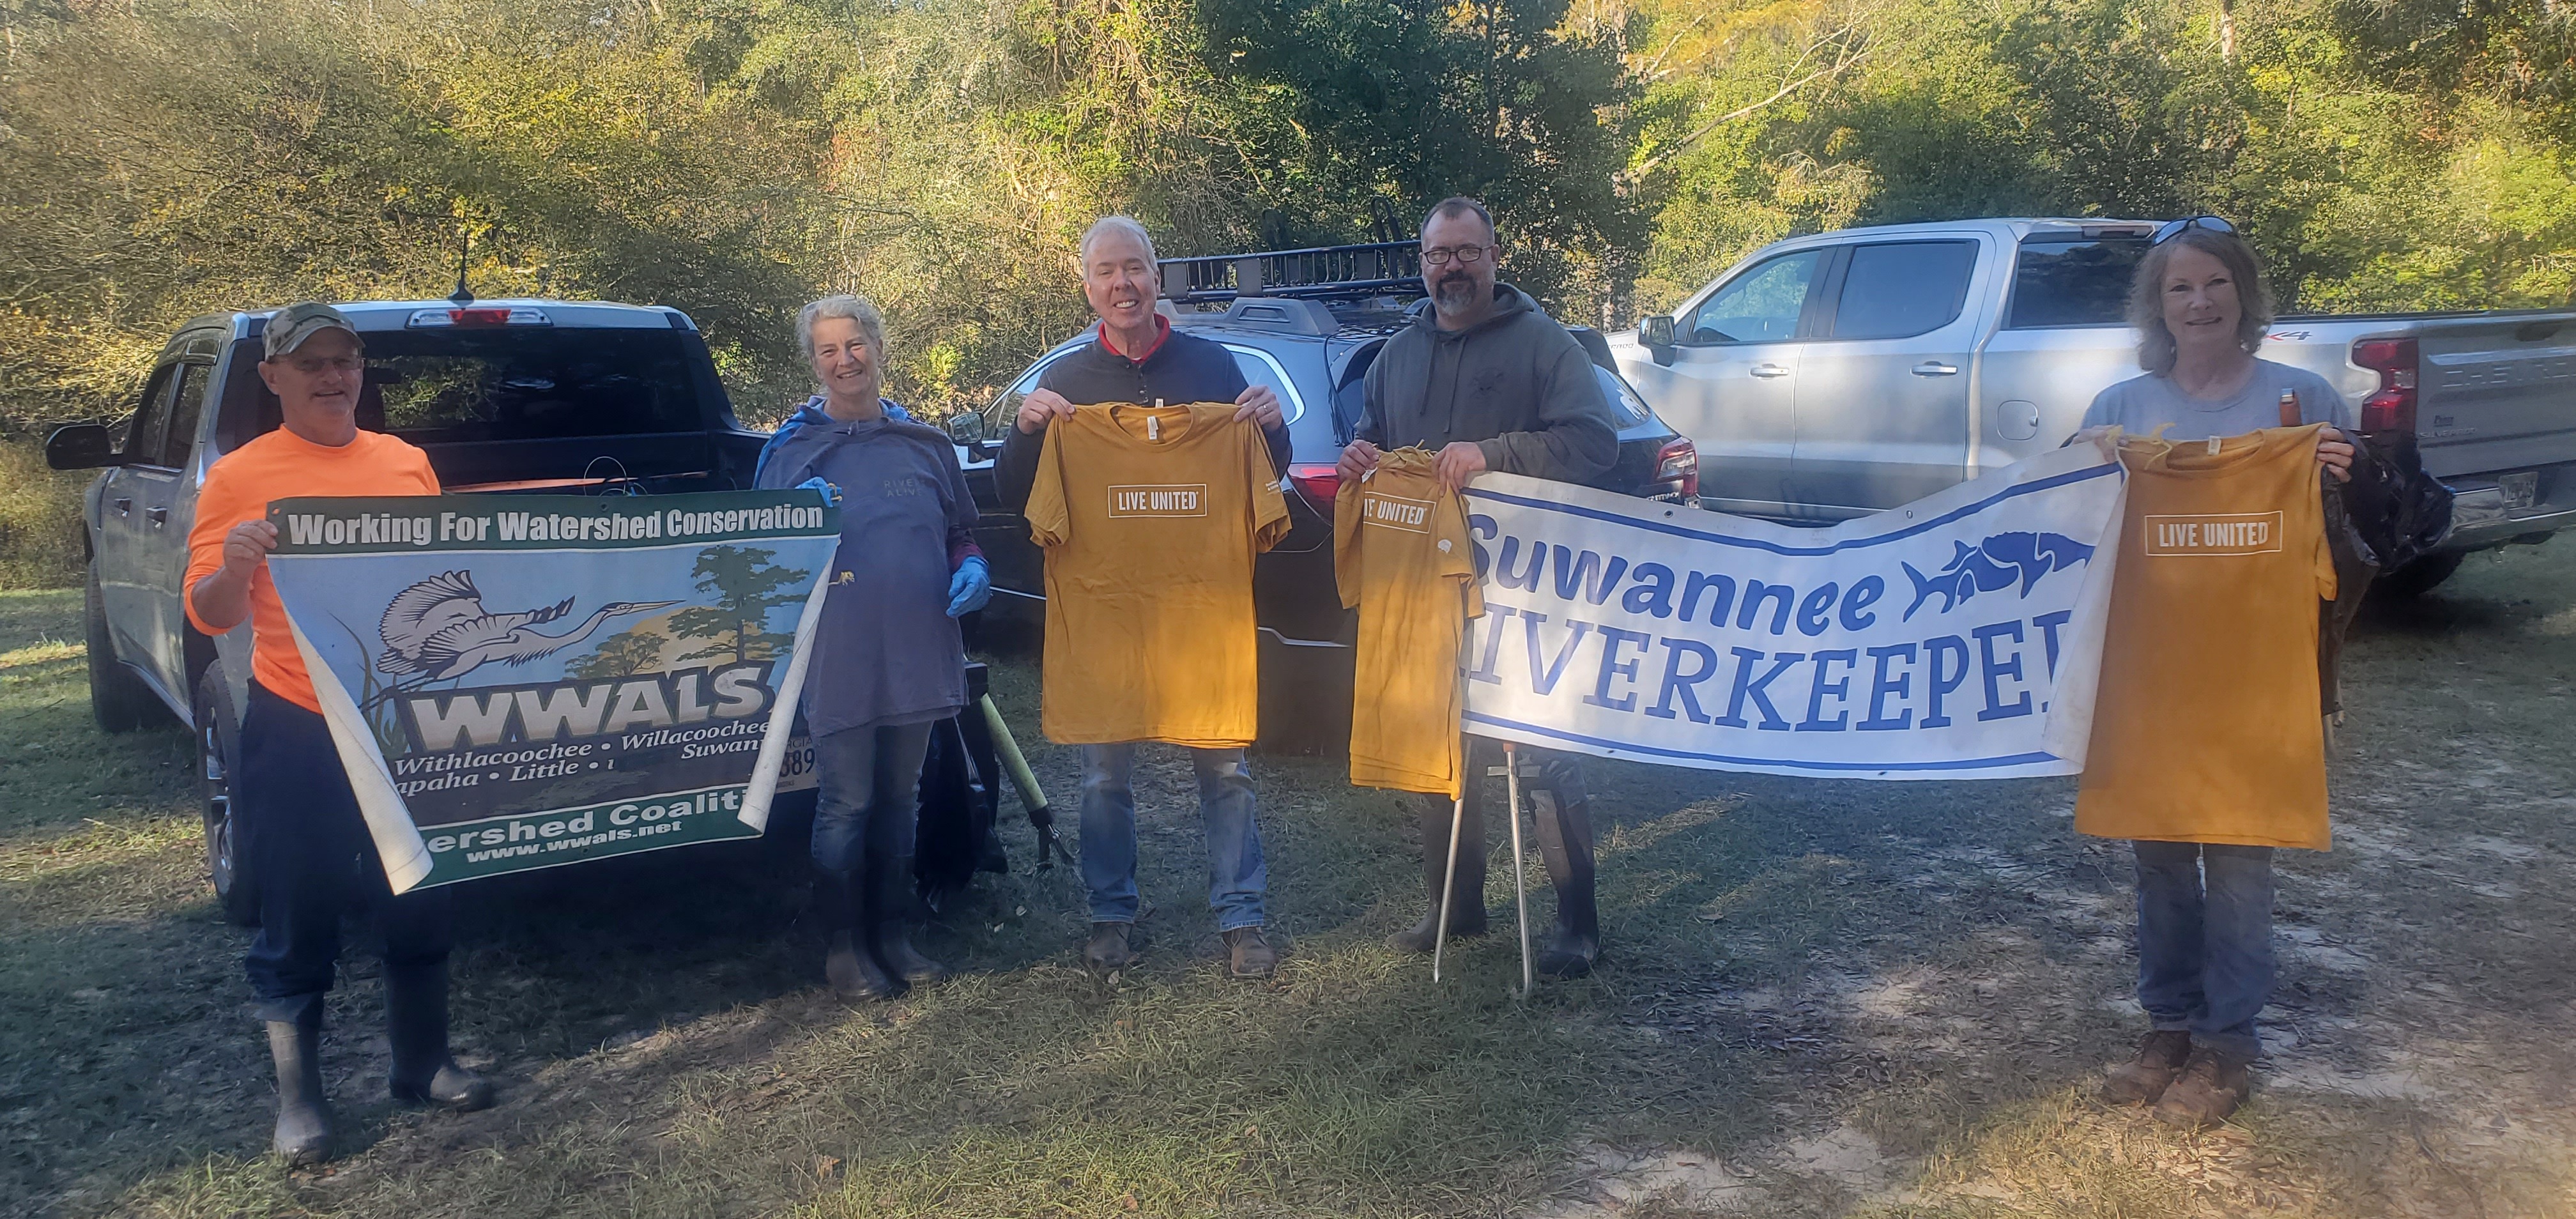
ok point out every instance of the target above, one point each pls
(1848, 372)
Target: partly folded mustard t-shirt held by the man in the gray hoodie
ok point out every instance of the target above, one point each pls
(1403, 561)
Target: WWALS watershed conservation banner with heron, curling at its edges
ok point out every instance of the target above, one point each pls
(535, 682)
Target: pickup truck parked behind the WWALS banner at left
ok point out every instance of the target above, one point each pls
(519, 396)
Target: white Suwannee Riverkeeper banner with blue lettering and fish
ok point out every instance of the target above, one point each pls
(1956, 638)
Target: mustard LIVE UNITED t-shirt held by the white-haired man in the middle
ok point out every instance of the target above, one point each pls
(1150, 519)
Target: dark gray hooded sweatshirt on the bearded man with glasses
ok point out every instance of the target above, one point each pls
(1516, 385)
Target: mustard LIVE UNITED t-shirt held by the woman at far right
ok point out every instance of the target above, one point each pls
(2206, 728)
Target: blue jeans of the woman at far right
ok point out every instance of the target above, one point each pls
(2206, 942)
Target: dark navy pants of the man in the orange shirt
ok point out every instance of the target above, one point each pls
(313, 859)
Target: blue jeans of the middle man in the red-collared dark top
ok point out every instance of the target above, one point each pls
(1238, 875)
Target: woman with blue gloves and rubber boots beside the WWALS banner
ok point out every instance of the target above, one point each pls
(887, 658)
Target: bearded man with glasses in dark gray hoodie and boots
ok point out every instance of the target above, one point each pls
(1490, 383)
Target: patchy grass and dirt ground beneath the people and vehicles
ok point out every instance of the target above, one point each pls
(1820, 999)
